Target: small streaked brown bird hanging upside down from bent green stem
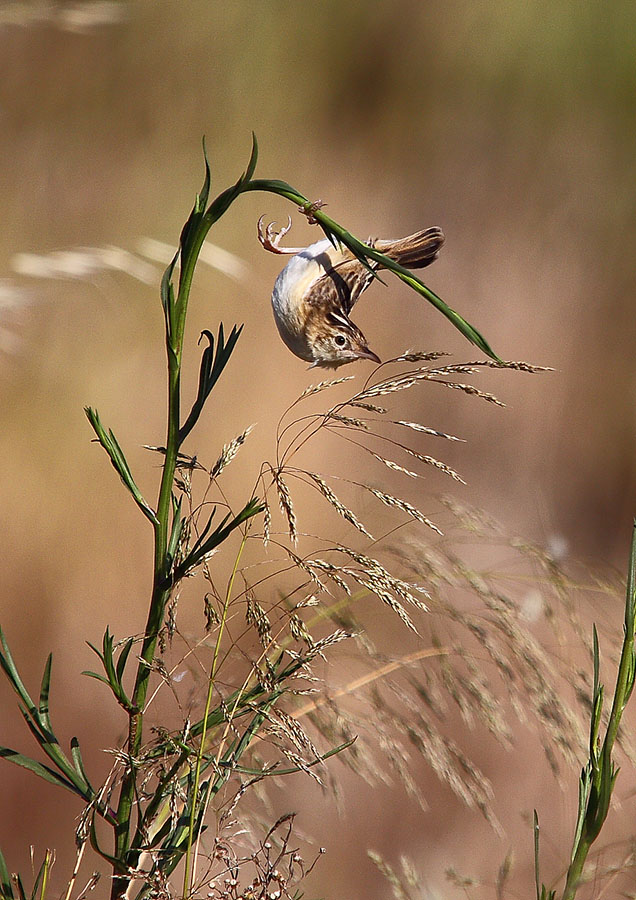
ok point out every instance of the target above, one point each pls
(317, 289)
